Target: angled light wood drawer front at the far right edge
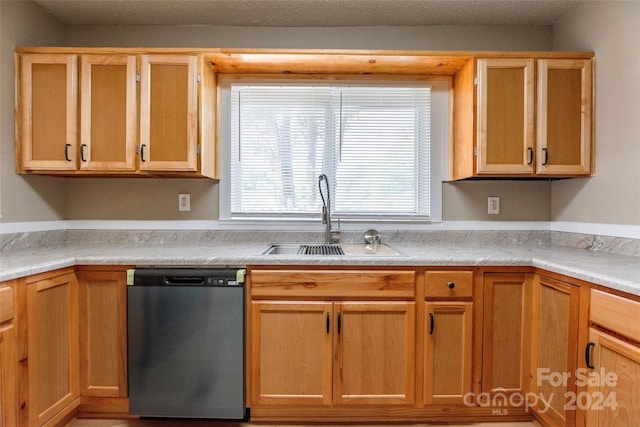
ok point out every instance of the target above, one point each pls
(613, 312)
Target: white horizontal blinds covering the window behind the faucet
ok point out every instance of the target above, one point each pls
(372, 141)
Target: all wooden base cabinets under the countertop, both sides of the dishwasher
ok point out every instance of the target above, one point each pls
(398, 344)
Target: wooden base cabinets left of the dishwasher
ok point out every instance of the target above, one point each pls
(65, 346)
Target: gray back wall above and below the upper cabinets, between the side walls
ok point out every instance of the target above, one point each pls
(130, 199)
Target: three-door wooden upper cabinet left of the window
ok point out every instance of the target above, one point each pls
(174, 135)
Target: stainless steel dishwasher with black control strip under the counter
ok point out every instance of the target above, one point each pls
(185, 335)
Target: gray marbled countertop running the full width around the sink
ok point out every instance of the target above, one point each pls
(620, 272)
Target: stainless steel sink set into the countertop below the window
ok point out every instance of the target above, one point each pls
(321, 249)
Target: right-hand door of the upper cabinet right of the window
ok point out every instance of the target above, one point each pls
(564, 117)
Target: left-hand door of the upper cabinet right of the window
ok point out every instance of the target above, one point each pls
(505, 114)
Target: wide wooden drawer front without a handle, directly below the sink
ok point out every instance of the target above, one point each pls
(397, 284)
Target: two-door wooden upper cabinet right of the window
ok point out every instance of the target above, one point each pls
(523, 117)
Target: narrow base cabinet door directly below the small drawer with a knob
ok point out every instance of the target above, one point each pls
(448, 354)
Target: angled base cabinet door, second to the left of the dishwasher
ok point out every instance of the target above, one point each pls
(52, 329)
